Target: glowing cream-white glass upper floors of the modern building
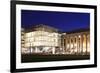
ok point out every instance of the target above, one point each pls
(41, 38)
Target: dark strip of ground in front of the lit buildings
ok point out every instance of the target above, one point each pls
(44, 58)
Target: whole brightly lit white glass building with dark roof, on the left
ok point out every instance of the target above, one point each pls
(41, 39)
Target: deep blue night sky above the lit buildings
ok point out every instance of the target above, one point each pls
(64, 21)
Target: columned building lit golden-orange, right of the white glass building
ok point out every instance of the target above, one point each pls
(76, 42)
